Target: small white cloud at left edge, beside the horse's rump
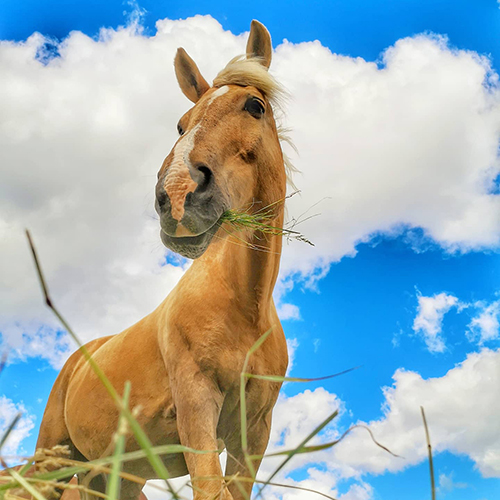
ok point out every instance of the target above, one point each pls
(8, 411)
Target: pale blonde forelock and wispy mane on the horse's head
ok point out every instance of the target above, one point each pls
(249, 72)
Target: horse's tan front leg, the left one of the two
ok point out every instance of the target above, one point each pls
(198, 402)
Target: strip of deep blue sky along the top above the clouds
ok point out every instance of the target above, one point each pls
(357, 28)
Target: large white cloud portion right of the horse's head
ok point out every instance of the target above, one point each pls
(413, 143)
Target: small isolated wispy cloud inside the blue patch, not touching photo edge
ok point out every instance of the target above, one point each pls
(429, 320)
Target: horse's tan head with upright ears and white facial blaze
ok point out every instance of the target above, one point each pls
(228, 155)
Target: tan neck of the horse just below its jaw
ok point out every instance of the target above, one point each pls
(245, 267)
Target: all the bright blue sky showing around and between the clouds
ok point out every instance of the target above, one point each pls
(363, 311)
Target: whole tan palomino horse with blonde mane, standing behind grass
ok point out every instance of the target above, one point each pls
(185, 358)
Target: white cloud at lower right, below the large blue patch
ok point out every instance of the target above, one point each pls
(461, 414)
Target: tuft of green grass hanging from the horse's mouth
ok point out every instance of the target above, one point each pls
(261, 221)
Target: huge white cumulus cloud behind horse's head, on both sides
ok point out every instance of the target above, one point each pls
(412, 143)
